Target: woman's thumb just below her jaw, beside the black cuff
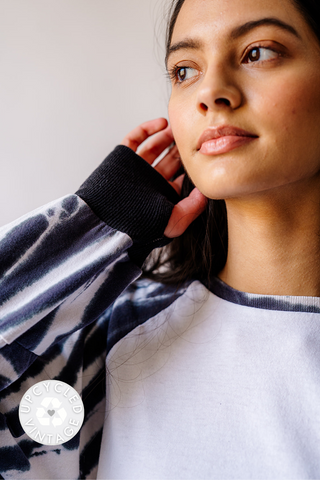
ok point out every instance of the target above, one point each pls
(185, 212)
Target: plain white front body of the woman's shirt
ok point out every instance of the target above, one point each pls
(212, 389)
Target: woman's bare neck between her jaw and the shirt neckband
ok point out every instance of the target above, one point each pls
(274, 242)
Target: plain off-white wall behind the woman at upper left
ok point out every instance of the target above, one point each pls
(75, 77)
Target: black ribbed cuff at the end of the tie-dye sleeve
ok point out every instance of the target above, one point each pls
(131, 196)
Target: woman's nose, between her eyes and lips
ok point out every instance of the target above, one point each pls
(218, 90)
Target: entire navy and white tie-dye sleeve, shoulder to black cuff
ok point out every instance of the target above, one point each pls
(62, 267)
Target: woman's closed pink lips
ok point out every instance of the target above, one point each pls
(222, 139)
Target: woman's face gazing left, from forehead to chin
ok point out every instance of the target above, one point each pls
(252, 65)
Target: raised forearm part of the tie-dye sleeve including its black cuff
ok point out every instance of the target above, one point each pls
(65, 263)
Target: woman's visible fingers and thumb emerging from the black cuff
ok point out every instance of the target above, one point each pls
(189, 208)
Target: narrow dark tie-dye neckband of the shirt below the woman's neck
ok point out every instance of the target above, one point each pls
(268, 302)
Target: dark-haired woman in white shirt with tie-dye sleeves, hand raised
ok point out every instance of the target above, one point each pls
(213, 372)
